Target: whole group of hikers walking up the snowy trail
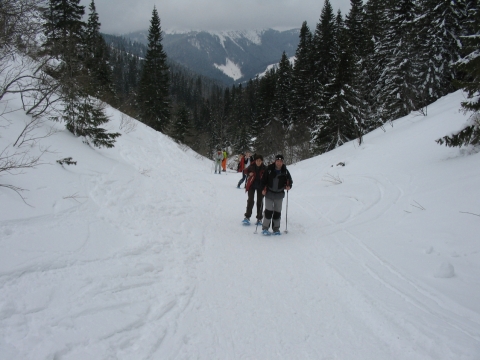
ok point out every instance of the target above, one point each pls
(269, 182)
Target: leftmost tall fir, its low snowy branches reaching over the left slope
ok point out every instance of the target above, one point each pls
(65, 33)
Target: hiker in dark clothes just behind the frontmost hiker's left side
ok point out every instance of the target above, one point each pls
(254, 183)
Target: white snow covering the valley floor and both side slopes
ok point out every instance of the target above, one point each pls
(138, 252)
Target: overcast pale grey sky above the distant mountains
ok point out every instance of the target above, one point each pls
(123, 16)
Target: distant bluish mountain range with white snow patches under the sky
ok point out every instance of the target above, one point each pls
(228, 56)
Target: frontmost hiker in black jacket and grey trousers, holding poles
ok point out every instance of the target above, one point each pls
(275, 181)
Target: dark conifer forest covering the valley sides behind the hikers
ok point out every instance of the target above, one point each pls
(351, 74)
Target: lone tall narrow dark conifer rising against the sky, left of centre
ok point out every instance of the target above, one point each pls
(153, 97)
